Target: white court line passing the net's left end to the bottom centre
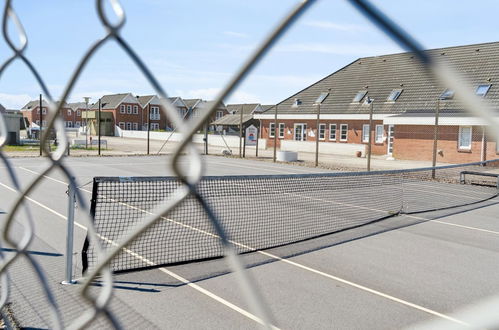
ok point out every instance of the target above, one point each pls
(149, 262)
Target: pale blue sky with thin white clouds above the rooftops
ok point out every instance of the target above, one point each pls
(194, 47)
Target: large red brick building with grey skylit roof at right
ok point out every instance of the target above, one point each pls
(403, 98)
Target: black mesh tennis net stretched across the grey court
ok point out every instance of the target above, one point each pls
(261, 212)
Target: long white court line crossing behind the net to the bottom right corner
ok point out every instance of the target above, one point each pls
(355, 285)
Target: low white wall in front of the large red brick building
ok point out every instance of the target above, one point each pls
(348, 149)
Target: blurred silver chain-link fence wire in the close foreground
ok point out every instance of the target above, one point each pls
(100, 302)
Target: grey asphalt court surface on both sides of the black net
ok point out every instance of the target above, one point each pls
(391, 274)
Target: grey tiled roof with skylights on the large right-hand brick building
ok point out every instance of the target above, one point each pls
(382, 74)
